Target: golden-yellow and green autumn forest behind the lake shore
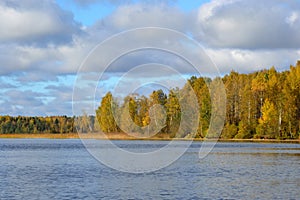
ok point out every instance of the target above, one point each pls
(260, 105)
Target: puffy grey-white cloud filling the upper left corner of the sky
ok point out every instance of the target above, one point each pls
(35, 22)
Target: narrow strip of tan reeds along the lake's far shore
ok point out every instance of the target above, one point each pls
(119, 136)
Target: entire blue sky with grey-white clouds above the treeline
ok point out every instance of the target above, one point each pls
(46, 46)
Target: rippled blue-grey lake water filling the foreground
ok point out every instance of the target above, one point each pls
(63, 169)
